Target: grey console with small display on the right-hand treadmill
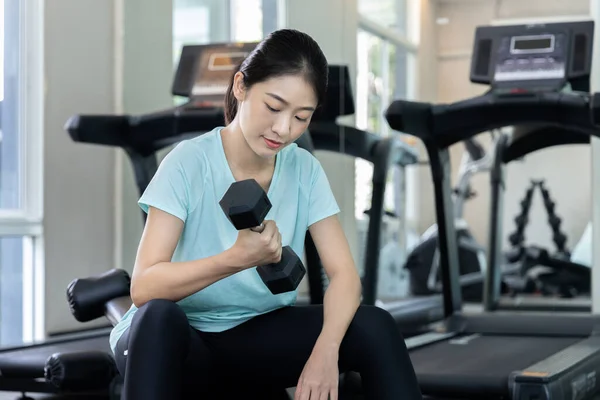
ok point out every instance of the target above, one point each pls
(539, 55)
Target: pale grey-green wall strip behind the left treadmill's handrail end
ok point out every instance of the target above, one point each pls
(147, 77)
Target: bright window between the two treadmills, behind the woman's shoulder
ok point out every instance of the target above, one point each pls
(386, 72)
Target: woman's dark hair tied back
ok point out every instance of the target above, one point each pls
(283, 52)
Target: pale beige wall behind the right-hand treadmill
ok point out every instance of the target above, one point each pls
(566, 169)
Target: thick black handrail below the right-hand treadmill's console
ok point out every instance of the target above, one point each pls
(447, 124)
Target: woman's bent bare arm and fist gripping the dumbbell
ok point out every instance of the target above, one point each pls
(155, 276)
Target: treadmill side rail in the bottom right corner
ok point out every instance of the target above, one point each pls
(569, 374)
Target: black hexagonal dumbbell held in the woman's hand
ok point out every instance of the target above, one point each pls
(246, 205)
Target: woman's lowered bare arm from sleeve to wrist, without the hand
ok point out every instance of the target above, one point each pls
(343, 295)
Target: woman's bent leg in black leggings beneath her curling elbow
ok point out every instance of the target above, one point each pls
(161, 349)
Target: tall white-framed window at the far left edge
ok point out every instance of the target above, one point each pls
(21, 152)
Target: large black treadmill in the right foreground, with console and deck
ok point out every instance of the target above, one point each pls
(505, 355)
